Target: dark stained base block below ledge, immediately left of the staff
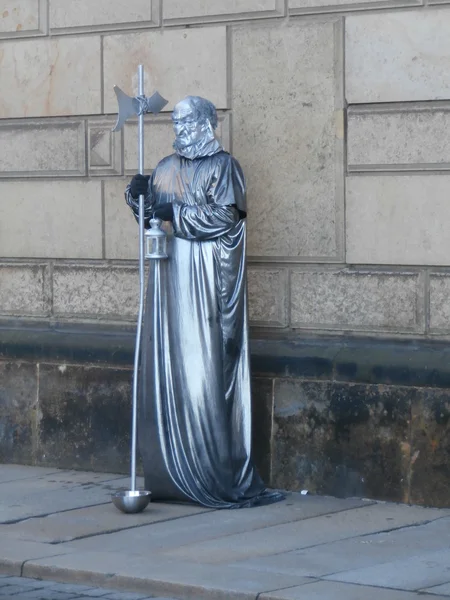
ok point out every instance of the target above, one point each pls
(85, 417)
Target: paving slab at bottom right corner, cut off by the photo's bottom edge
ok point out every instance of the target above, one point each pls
(323, 590)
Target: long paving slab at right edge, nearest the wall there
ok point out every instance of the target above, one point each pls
(304, 533)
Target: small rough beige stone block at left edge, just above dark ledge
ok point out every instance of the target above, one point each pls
(24, 290)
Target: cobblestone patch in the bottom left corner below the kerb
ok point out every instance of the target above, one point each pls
(19, 588)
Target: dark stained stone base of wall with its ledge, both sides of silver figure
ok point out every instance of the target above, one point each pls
(345, 417)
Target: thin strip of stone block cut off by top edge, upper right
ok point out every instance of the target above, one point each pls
(302, 7)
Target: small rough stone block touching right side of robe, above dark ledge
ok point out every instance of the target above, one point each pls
(267, 289)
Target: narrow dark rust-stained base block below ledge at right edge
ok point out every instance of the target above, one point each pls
(430, 448)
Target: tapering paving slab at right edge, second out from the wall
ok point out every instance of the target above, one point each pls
(356, 553)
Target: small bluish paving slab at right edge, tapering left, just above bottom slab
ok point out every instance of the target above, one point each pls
(415, 573)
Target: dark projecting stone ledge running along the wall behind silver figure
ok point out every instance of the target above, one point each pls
(420, 363)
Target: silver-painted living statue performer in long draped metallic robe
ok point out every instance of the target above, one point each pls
(194, 402)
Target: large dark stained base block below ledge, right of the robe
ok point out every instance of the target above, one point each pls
(344, 440)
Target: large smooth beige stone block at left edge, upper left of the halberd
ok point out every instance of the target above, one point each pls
(39, 85)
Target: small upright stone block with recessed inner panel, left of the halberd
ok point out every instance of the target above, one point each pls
(104, 148)
